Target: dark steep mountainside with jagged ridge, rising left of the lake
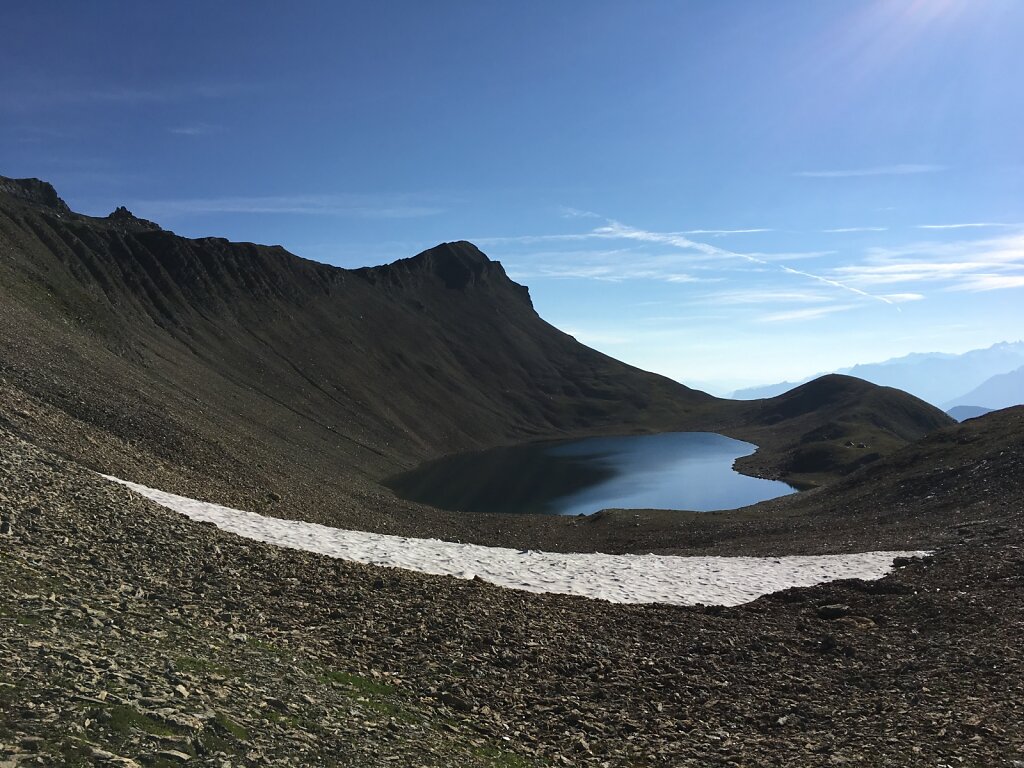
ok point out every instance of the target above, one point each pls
(426, 356)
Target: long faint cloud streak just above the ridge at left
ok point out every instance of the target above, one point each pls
(315, 205)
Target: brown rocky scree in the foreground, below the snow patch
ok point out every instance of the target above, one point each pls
(133, 636)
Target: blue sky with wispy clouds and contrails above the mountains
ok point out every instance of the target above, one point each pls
(728, 193)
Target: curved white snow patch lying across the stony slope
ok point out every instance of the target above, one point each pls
(619, 579)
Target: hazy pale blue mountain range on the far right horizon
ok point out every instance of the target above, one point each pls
(992, 378)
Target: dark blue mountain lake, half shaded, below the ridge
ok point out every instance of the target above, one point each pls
(672, 471)
